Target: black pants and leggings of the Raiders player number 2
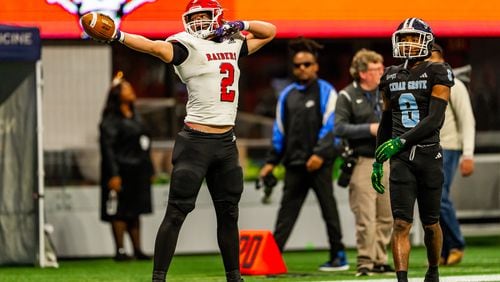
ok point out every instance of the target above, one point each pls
(199, 156)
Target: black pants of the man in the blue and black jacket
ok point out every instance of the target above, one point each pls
(298, 181)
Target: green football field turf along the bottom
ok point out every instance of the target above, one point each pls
(481, 263)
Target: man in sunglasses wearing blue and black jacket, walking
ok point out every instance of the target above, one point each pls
(303, 140)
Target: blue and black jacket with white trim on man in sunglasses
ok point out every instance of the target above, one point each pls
(304, 124)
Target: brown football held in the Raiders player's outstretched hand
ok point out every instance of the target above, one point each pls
(98, 26)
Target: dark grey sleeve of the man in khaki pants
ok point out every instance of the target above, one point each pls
(343, 126)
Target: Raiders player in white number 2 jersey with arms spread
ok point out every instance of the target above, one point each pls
(205, 57)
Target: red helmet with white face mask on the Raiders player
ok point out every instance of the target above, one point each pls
(205, 27)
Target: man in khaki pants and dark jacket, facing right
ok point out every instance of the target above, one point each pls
(357, 114)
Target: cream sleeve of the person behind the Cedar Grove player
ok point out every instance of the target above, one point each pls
(461, 105)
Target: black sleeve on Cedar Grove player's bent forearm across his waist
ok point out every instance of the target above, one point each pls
(430, 123)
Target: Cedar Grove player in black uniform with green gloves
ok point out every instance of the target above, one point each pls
(415, 98)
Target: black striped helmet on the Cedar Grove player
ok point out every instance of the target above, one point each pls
(419, 47)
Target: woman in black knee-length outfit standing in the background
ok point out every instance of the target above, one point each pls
(126, 167)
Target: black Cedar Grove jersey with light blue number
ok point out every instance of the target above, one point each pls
(409, 92)
